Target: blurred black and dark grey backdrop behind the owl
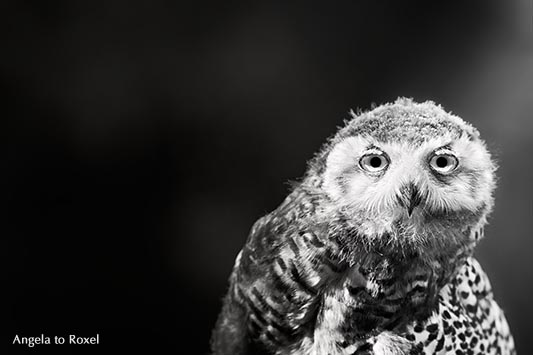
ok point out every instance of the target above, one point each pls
(145, 138)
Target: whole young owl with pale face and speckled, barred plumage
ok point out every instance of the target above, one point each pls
(372, 251)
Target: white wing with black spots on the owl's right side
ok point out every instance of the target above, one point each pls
(468, 317)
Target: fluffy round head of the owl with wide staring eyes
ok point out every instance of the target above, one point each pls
(408, 174)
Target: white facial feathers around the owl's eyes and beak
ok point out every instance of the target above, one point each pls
(375, 197)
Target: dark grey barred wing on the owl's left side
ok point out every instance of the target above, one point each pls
(276, 280)
